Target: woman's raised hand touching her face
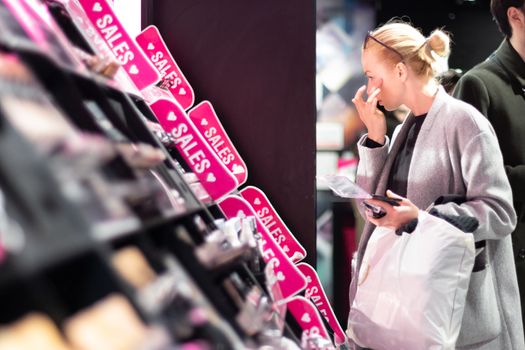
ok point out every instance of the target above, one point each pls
(372, 117)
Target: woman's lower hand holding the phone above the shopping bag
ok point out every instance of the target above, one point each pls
(396, 216)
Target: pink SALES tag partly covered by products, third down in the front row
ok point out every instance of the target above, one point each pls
(290, 279)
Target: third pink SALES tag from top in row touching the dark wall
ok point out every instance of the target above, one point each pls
(273, 223)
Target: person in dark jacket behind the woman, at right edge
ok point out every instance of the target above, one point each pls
(496, 87)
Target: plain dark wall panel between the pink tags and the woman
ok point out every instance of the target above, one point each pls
(255, 61)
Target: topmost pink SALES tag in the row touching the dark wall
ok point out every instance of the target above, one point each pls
(157, 52)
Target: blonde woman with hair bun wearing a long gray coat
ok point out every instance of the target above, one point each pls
(444, 147)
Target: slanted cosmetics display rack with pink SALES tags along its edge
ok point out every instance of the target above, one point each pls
(123, 224)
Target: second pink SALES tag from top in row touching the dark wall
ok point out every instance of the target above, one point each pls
(207, 122)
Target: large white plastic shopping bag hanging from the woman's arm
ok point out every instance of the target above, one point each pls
(412, 288)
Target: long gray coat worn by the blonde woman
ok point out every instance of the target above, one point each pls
(457, 153)
